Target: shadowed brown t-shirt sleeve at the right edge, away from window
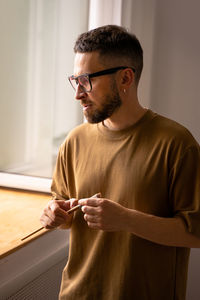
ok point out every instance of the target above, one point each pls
(185, 189)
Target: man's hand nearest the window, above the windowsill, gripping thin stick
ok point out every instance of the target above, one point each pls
(55, 213)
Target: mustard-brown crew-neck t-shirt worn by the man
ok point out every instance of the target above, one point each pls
(153, 167)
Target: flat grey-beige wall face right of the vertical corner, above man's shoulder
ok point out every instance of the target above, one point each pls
(175, 89)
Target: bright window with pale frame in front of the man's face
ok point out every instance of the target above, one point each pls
(36, 101)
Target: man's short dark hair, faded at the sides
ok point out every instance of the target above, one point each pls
(113, 41)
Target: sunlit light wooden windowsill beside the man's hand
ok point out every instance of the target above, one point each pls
(19, 215)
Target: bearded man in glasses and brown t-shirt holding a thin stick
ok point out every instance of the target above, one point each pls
(132, 240)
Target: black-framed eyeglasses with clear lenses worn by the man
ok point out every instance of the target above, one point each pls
(84, 79)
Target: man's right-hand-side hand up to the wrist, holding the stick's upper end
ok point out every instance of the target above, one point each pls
(103, 214)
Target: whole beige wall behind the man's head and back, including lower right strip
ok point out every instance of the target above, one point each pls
(170, 84)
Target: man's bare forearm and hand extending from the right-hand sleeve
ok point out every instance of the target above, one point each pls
(107, 215)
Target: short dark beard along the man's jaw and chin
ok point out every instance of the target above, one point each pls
(110, 105)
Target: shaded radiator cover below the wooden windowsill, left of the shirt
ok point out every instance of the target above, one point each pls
(34, 271)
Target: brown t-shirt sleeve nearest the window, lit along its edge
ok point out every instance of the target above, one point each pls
(59, 186)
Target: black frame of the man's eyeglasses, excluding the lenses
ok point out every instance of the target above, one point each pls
(96, 74)
